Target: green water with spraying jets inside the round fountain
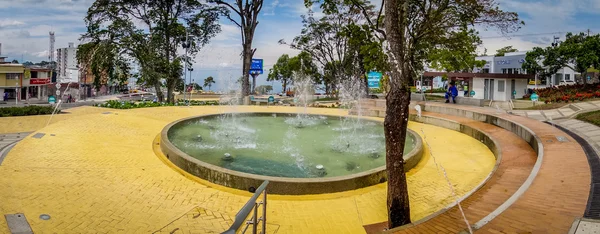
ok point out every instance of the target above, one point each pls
(284, 145)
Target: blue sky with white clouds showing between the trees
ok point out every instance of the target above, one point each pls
(24, 27)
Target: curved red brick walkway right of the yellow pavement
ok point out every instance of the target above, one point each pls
(556, 197)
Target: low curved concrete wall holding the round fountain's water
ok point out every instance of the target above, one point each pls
(280, 185)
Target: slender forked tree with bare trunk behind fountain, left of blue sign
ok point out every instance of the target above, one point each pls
(248, 20)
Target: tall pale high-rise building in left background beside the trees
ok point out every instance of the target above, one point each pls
(66, 64)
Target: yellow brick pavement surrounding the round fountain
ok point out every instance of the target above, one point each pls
(99, 173)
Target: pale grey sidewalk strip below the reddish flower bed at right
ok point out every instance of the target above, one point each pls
(565, 112)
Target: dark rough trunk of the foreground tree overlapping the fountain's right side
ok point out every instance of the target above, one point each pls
(396, 119)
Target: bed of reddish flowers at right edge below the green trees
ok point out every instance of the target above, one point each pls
(568, 93)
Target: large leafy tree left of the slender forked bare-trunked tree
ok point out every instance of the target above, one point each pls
(151, 32)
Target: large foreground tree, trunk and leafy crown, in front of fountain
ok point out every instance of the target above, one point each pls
(412, 28)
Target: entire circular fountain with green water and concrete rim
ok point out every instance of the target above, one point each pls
(297, 153)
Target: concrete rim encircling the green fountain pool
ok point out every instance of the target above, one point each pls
(412, 158)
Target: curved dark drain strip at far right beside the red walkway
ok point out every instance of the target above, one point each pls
(592, 210)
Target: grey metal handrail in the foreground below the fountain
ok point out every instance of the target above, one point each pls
(252, 205)
